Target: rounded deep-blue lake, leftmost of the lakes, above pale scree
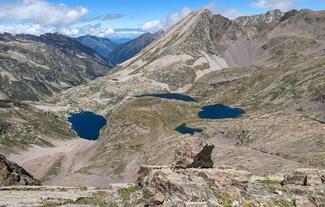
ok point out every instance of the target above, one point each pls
(87, 124)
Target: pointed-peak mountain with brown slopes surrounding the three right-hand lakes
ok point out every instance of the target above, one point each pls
(271, 65)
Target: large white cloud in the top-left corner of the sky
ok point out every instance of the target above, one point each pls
(42, 12)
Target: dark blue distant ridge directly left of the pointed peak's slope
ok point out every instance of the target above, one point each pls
(128, 50)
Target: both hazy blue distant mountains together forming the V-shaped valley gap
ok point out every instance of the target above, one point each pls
(118, 53)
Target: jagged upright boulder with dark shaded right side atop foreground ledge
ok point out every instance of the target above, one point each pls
(194, 156)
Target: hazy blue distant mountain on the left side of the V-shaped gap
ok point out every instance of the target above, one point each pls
(103, 46)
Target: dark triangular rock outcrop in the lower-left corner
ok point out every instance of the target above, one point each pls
(12, 174)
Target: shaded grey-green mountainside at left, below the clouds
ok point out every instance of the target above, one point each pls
(36, 67)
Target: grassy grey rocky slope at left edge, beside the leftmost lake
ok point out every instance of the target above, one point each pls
(24, 125)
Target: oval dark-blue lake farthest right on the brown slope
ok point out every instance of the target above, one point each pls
(220, 111)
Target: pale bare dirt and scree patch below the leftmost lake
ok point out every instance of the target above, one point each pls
(60, 165)
